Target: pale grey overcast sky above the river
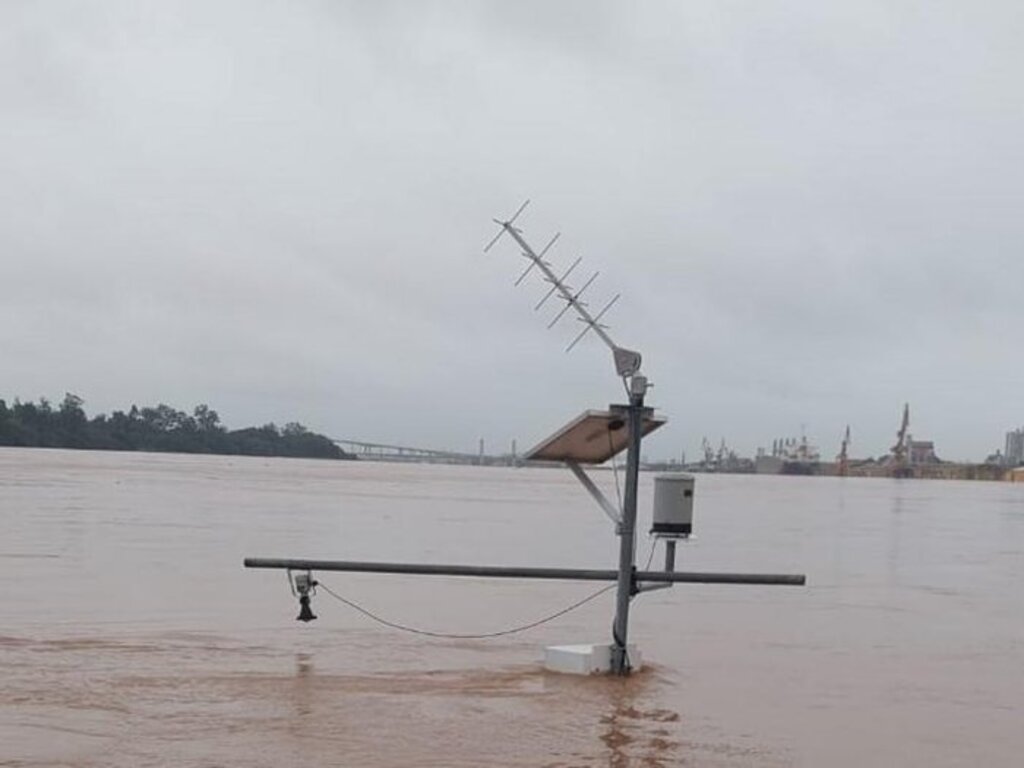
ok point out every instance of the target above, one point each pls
(814, 212)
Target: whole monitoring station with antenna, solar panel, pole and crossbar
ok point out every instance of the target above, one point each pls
(592, 439)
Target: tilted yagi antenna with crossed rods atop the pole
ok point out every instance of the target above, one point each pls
(627, 361)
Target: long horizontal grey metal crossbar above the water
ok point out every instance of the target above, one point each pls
(503, 572)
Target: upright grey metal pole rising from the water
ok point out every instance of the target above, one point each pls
(627, 532)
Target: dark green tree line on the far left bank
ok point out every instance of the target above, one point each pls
(160, 429)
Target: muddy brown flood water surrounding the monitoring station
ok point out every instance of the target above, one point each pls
(131, 635)
